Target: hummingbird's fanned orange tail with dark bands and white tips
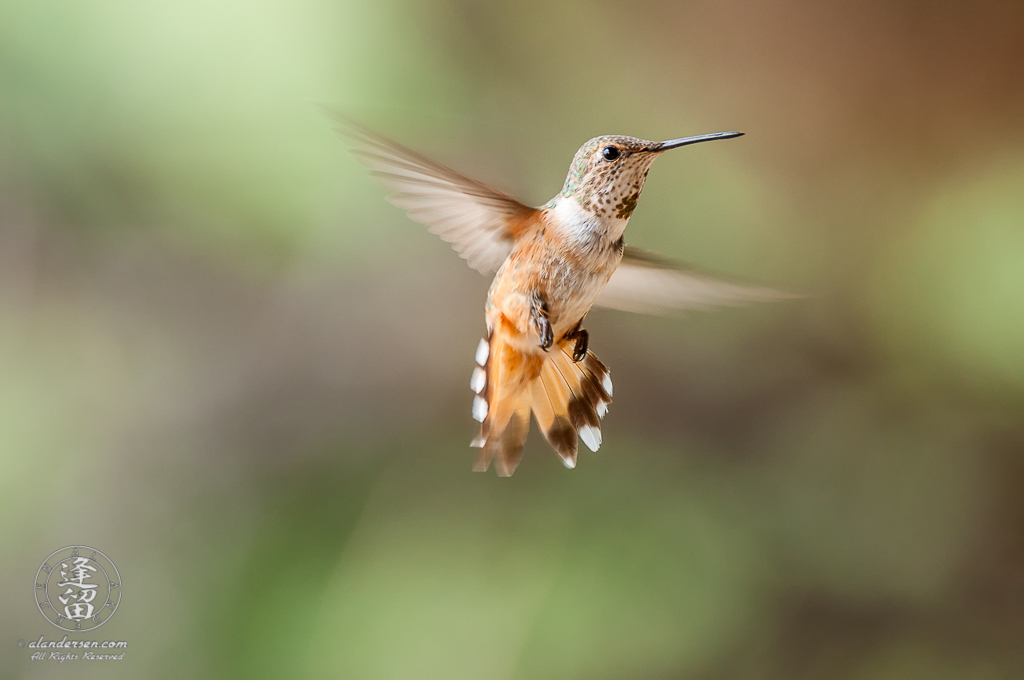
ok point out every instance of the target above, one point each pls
(568, 399)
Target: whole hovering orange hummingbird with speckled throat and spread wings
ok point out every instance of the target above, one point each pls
(553, 264)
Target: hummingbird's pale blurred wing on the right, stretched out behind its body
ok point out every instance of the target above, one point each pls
(646, 283)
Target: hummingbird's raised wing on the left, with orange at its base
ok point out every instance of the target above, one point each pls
(481, 224)
